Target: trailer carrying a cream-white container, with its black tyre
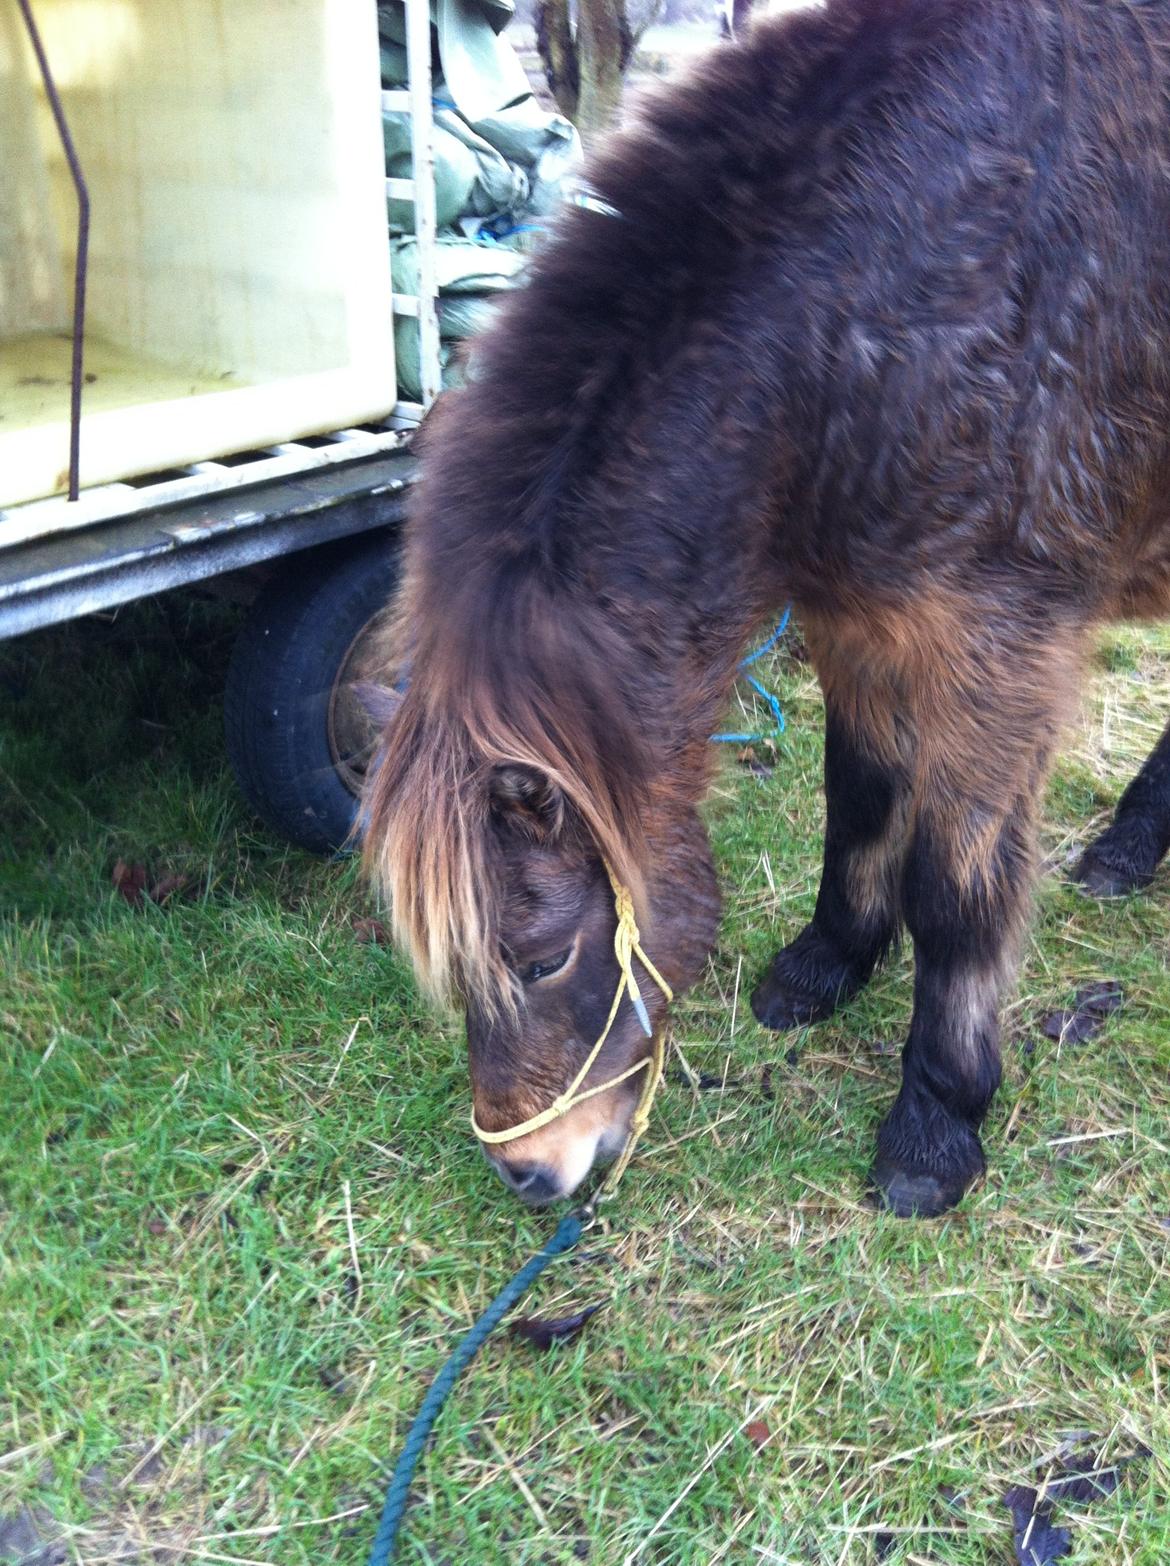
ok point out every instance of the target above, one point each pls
(198, 347)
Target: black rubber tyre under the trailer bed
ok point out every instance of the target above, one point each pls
(280, 684)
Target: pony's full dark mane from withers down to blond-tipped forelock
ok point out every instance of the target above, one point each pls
(525, 640)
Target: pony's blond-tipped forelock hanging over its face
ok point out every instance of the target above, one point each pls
(508, 680)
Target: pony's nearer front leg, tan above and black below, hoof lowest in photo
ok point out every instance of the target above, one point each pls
(986, 737)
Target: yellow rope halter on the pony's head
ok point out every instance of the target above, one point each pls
(627, 947)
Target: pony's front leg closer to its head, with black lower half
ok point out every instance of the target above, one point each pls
(867, 803)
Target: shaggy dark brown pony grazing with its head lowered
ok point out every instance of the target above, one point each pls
(879, 322)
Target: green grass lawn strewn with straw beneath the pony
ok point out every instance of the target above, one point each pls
(242, 1218)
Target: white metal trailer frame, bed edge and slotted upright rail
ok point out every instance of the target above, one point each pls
(118, 543)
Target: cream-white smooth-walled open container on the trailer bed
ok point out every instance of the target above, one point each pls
(240, 281)
